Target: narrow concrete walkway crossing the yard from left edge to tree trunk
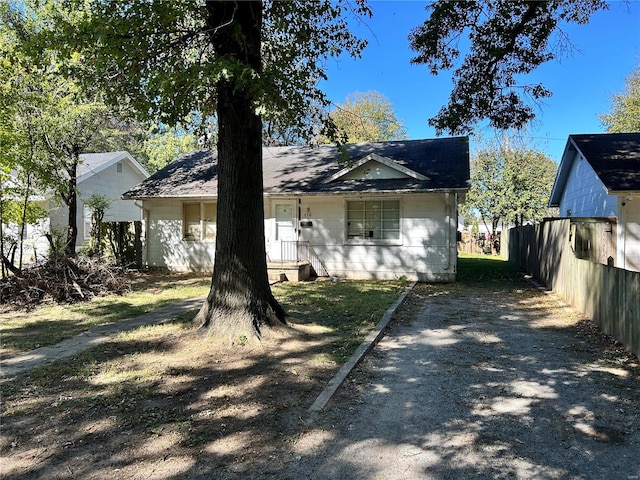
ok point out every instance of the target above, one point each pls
(11, 367)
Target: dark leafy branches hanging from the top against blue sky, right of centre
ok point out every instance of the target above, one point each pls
(506, 39)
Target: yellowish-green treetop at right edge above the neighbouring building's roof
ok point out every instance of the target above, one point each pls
(624, 116)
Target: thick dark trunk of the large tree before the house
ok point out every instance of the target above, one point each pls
(240, 301)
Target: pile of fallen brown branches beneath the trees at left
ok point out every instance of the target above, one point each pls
(63, 281)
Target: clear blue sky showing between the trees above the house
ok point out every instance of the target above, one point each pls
(606, 52)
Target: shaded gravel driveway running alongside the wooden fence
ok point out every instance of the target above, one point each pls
(475, 383)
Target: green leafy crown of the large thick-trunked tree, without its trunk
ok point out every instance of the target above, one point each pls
(159, 58)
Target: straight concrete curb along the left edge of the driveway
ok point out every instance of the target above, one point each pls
(372, 339)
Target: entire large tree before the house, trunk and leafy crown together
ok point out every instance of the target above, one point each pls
(241, 61)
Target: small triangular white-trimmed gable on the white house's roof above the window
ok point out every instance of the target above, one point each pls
(374, 167)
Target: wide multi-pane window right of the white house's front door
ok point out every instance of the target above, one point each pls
(373, 220)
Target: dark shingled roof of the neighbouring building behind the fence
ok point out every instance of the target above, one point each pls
(614, 157)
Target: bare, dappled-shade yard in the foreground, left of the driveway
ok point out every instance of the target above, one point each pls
(163, 401)
